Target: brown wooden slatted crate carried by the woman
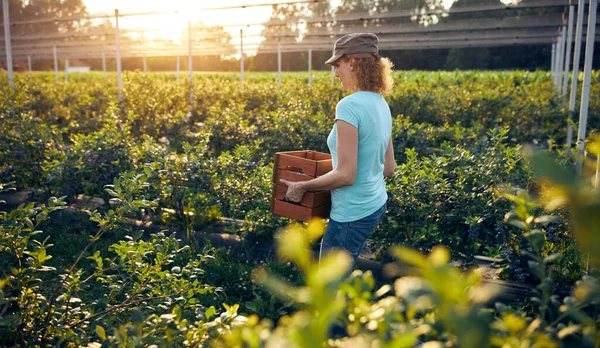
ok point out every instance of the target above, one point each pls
(300, 166)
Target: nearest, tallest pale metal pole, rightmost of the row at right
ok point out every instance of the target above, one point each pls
(587, 74)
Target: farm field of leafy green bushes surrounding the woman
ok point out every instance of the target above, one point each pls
(469, 147)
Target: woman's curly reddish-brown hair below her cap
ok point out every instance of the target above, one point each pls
(372, 73)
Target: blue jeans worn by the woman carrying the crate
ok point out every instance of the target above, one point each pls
(350, 236)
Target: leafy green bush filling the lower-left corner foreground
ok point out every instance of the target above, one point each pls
(152, 277)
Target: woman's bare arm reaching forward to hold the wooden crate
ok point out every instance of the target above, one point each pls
(342, 175)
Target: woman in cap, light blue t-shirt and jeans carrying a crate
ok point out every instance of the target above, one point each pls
(360, 145)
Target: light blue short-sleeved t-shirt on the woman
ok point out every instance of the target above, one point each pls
(370, 114)
